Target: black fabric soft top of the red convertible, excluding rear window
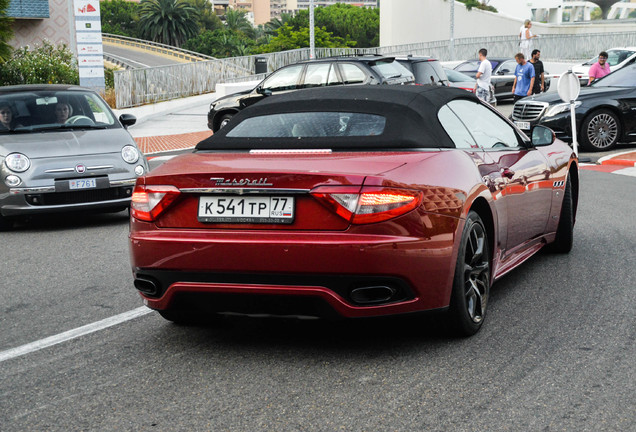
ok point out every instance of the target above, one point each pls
(410, 112)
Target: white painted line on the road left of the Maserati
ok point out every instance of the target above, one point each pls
(72, 334)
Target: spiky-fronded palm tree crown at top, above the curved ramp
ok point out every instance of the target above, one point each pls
(171, 22)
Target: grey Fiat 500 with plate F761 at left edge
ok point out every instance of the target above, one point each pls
(63, 149)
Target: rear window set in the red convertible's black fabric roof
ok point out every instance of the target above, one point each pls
(310, 125)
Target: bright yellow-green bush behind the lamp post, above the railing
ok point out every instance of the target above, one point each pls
(288, 39)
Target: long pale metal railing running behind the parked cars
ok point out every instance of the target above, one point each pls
(150, 85)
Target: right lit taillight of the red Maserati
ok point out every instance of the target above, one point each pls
(369, 204)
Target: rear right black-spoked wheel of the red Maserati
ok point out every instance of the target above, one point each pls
(471, 283)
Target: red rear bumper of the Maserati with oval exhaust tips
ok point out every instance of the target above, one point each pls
(353, 275)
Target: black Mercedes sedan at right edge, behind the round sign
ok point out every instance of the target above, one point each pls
(605, 112)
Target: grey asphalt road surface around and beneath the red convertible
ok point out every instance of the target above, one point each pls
(557, 351)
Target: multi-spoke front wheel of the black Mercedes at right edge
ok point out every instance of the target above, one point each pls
(600, 131)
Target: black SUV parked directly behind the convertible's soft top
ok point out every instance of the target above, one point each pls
(356, 70)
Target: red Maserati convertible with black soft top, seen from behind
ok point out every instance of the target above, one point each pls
(352, 202)
